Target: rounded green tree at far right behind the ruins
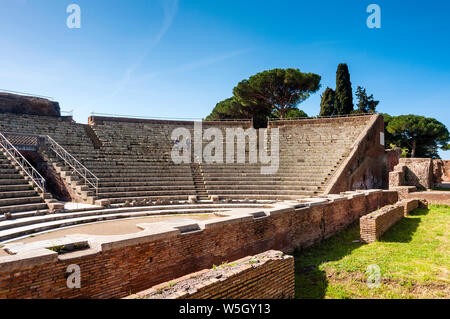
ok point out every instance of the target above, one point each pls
(421, 135)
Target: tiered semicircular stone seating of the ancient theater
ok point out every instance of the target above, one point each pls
(132, 161)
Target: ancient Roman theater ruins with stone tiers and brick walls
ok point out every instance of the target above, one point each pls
(105, 200)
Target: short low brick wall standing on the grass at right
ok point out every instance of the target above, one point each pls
(374, 225)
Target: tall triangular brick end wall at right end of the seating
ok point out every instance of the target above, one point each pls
(367, 165)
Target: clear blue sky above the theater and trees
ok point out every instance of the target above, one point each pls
(168, 58)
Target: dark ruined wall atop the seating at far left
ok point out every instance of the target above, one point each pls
(19, 104)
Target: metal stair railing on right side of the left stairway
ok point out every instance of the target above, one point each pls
(80, 169)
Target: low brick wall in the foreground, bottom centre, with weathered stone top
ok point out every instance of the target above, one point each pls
(269, 275)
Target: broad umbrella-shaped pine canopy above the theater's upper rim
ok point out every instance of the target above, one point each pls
(277, 90)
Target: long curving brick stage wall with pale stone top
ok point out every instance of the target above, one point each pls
(117, 266)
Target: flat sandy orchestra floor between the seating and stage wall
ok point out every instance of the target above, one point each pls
(118, 227)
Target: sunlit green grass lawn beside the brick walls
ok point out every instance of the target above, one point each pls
(413, 257)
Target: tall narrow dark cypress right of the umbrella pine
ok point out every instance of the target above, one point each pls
(344, 92)
